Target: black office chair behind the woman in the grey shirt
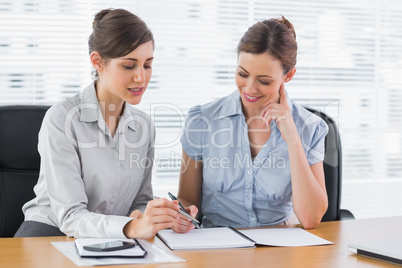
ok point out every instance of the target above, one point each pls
(19, 162)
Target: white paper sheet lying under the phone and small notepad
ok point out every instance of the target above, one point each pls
(154, 255)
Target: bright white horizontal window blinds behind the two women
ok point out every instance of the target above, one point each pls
(348, 66)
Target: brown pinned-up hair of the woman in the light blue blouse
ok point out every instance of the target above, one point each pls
(277, 37)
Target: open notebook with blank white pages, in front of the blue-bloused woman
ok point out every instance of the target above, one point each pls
(227, 237)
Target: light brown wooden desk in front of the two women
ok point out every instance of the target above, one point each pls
(38, 252)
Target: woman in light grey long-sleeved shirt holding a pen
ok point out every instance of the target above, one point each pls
(97, 149)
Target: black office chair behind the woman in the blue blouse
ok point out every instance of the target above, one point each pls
(333, 171)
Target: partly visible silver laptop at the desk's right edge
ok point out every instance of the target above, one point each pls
(386, 250)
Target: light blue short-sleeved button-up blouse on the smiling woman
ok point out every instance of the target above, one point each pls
(236, 190)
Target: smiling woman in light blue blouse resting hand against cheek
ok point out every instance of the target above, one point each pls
(255, 158)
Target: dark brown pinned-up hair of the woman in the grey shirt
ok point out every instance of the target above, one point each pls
(117, 32)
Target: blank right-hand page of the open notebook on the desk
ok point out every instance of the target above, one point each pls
(284, 237)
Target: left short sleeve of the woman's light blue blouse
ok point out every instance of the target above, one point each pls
(191, 139)
